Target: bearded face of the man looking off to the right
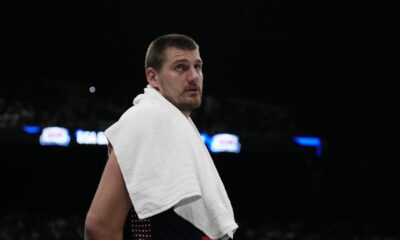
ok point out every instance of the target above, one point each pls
(180, 79)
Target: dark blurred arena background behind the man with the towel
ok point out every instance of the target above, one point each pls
(274, 71)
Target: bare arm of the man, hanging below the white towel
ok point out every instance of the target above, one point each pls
(108, 211)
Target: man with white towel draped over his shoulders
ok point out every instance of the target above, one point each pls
(158, 166)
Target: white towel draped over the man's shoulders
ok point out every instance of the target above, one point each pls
(165, 164)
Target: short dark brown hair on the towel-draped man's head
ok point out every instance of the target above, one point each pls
(155, 51)
